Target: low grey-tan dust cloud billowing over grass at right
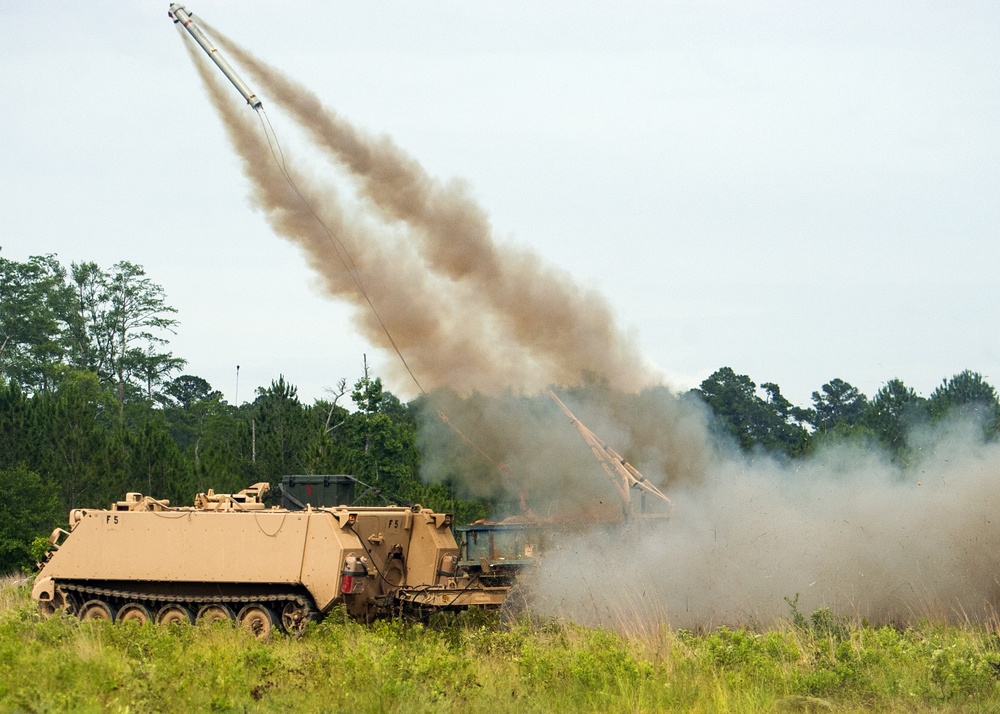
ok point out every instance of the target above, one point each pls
(844, 529)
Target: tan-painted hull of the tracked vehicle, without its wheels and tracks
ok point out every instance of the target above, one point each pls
(142, 545)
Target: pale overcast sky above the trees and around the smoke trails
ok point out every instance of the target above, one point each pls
(798, 190)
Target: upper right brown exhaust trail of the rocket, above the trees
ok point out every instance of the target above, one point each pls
(569, 331)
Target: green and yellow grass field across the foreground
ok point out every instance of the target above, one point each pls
(473, 663)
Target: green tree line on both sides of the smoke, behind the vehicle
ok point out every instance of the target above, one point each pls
(93, 404)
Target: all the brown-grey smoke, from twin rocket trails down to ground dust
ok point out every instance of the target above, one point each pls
(485, 325)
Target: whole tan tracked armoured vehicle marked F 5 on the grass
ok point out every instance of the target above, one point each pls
(230, 557)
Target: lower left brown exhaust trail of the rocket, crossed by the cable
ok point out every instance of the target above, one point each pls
(423, 314)
